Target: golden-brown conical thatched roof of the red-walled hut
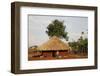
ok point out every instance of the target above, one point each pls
(54, 43)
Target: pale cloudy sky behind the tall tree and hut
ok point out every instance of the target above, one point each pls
(37, 26)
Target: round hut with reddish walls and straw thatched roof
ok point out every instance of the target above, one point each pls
(54, 47)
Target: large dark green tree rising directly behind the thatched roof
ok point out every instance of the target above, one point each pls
(57, 28)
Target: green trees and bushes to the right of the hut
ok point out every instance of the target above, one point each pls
(81, 45)
